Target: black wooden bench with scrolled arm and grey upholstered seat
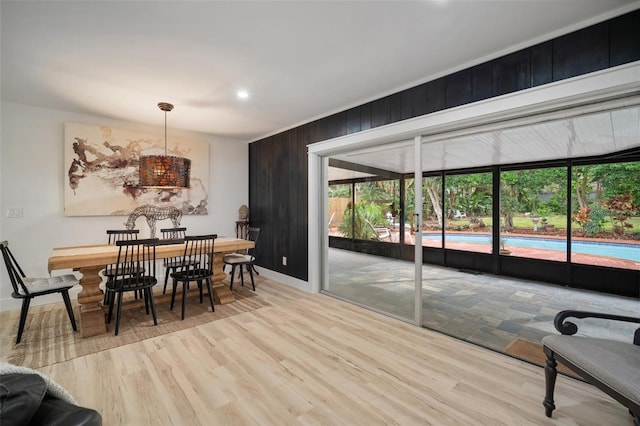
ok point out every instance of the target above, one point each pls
(612, 366)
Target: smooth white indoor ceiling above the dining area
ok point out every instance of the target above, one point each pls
(298, 60)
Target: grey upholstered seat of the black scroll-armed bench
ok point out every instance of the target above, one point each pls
(614, 363)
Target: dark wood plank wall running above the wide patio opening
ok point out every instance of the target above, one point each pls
(278, 164)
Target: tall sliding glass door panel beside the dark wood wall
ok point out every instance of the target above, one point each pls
(367, 231)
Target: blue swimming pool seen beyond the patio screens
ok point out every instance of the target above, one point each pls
(619, 250)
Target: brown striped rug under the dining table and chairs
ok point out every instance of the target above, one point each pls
(49, 339)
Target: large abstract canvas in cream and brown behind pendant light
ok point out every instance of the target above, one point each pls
(101, 172)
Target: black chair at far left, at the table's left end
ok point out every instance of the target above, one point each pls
(29, 288)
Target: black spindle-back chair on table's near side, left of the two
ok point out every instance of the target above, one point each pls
(133, 255)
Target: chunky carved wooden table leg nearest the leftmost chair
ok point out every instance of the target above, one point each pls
(92, 321)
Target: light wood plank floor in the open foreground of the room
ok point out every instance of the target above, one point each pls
(311, 359)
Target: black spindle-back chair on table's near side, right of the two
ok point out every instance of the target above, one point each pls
(196, 265)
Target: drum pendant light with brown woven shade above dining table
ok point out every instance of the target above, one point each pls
(164, 171)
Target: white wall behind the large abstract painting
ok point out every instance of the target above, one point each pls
(32, 177)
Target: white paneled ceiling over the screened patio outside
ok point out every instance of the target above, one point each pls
(573, 137)
